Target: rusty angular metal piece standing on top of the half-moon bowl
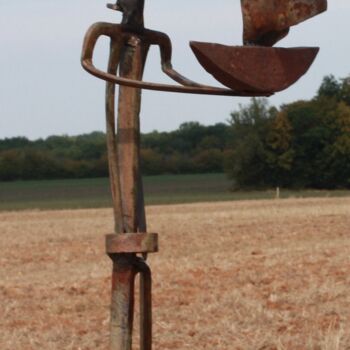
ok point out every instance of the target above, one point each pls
(267, 21)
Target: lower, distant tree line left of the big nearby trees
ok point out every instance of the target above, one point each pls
(193, 148)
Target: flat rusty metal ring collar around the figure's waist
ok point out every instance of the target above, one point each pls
(132, 243)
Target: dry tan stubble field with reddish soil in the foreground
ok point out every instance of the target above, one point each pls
(245, 275)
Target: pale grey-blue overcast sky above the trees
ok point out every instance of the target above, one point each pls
(44, 91)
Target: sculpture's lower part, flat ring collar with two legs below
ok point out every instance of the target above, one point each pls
(122, 249)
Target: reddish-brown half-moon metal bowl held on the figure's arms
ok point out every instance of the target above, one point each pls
(254, 68)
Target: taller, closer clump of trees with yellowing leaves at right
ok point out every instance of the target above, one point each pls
(305, 144)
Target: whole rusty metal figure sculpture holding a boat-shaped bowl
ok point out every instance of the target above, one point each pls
(254, 69)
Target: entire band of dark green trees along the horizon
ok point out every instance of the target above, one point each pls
(305, 144)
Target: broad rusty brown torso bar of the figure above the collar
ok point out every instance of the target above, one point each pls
(133, 56)
